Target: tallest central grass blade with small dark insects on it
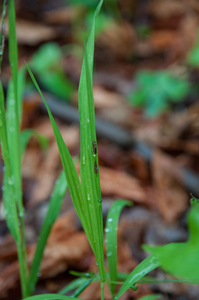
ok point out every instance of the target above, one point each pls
(89, 169)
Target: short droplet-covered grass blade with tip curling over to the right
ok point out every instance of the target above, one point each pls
(111, 238)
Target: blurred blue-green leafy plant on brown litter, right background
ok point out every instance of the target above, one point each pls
(156, 90)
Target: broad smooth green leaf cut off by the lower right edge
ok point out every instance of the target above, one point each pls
(181, 259)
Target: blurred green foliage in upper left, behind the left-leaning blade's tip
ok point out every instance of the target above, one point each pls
(47, 63)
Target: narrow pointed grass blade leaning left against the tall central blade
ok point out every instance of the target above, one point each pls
(69, 168)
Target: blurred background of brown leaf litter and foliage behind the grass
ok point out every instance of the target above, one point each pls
(146, 94)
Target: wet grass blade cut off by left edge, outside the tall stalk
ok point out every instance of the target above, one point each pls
(8, 191)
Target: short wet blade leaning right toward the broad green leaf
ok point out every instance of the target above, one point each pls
(146, 266)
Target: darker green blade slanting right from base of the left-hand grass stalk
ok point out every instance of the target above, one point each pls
(52, 214)
